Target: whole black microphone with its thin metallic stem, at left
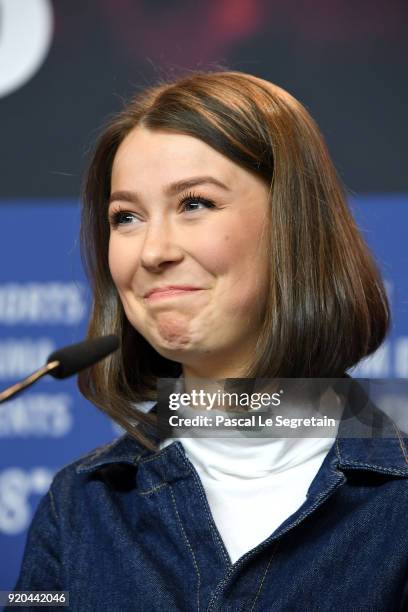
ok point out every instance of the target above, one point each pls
(68, 361)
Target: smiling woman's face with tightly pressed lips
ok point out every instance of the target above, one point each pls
(207, 234)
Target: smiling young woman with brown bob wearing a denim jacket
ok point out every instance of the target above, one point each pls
(219, 245)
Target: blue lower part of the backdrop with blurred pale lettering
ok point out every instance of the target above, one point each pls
(44, 304)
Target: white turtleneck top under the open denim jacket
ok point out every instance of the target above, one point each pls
(253, 484)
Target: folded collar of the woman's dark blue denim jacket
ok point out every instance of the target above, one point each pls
(367, 439)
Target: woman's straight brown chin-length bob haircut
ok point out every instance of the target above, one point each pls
(326, 305)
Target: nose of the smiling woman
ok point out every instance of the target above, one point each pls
(160, 246)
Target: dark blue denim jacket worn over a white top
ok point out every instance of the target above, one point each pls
(127, 529)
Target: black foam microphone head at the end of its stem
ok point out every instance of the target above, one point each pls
(77, 357)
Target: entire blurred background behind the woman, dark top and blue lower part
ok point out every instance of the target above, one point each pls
(65, 67)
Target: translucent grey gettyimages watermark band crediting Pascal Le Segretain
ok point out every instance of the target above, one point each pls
(281, 407)
